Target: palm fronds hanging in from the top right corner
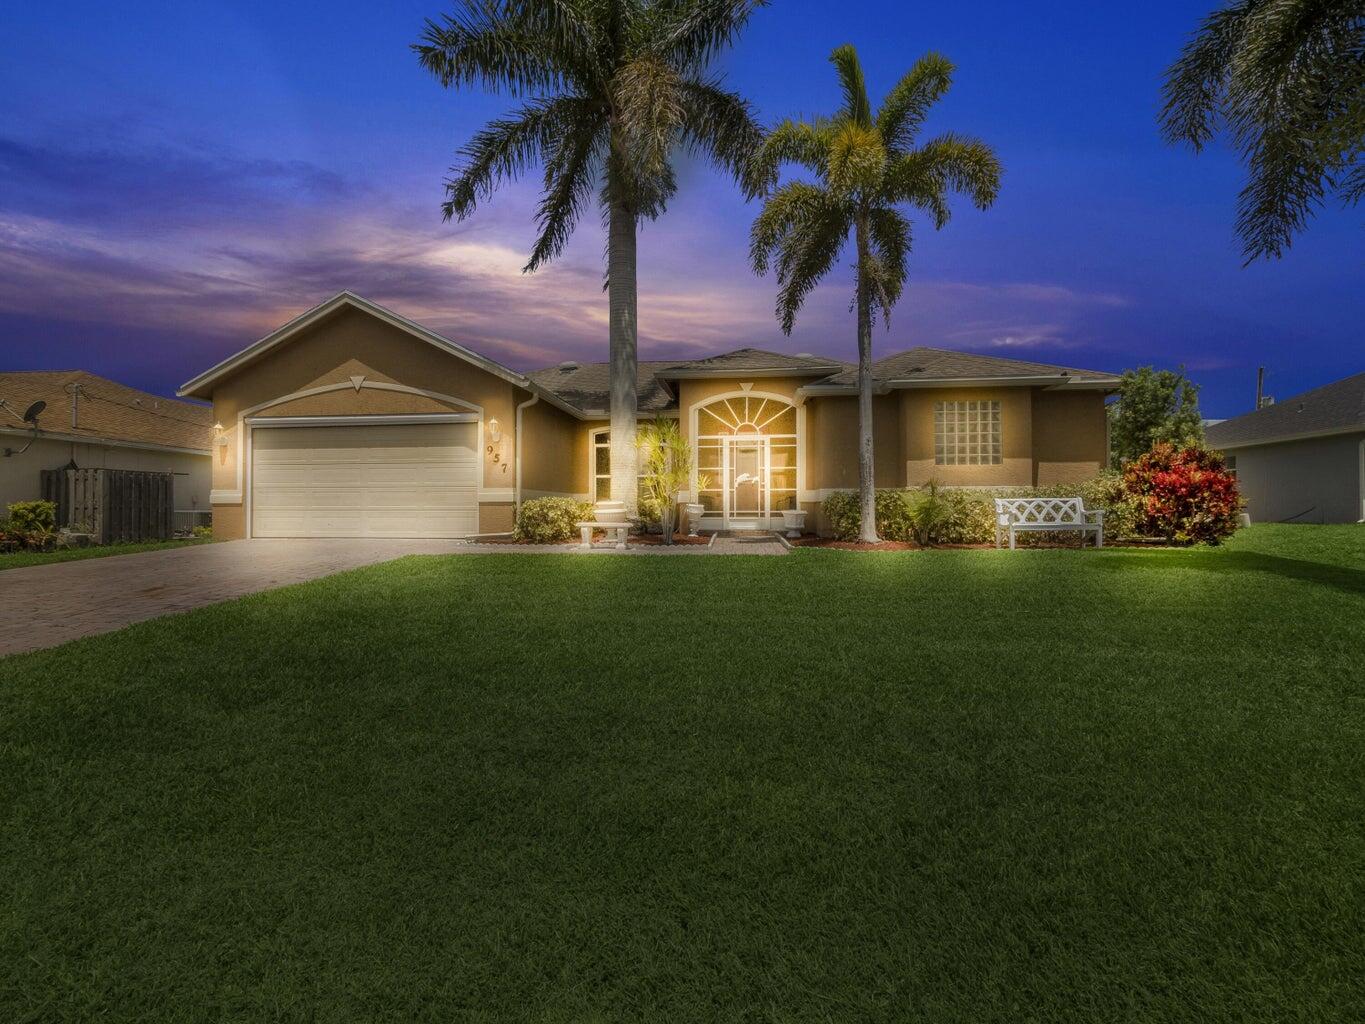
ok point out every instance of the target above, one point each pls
(1288, 81)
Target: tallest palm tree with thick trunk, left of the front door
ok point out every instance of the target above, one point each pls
(612, 91)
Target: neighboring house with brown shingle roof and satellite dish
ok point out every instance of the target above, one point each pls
(96, 424)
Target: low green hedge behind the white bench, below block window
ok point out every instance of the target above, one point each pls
(970, 518)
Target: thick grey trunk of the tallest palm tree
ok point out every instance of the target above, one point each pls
(623, 334)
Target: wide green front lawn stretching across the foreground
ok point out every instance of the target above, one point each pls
(929, 787)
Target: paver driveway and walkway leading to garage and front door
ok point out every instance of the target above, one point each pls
(46, 606)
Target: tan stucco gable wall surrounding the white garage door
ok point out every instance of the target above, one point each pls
(354, 345)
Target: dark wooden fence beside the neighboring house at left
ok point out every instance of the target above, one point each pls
(117, 506)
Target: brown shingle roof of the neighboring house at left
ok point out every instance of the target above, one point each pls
(106, 410)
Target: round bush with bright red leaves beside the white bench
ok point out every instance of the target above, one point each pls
(1184, 495)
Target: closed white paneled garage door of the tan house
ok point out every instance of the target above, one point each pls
(413, 480)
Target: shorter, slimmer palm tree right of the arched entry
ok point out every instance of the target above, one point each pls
(867, 167)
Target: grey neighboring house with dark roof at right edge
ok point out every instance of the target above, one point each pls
(1302, 461)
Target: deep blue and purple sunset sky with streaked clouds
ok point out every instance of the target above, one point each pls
(178, 180)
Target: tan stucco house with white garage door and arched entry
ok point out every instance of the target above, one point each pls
(354, 421)
